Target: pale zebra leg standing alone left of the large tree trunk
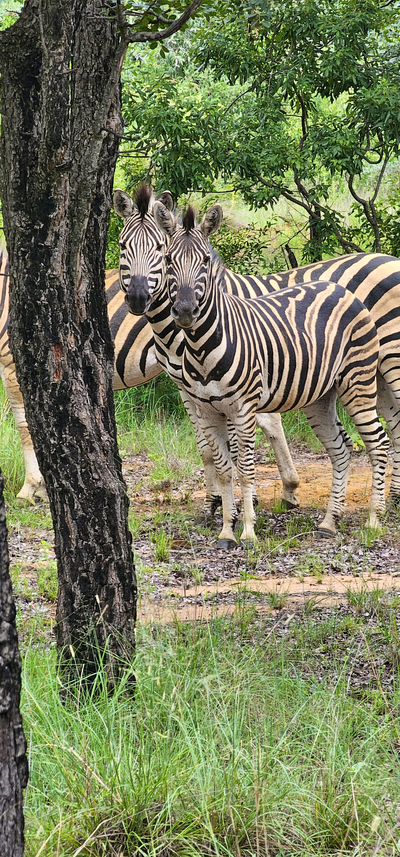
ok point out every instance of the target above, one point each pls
(33, 487)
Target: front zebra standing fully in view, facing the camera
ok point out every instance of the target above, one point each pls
(300, 347)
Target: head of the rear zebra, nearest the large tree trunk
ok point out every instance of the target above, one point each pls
(141, 263)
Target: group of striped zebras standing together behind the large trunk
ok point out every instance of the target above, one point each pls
(243, 349)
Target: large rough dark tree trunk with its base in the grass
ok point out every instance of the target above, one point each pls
(60, 127)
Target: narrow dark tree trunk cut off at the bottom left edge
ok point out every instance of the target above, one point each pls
(13, 761)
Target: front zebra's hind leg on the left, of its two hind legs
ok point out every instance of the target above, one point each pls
(323, 419)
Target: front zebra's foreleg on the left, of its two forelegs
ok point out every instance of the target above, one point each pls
(214, 426)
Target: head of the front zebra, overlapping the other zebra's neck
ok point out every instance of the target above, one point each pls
(188, 260)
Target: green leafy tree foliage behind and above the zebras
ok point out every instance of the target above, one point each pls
(280, 100)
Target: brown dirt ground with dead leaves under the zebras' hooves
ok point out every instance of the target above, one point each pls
(289, 568)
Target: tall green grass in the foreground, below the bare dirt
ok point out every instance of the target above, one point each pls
(231, 747)
